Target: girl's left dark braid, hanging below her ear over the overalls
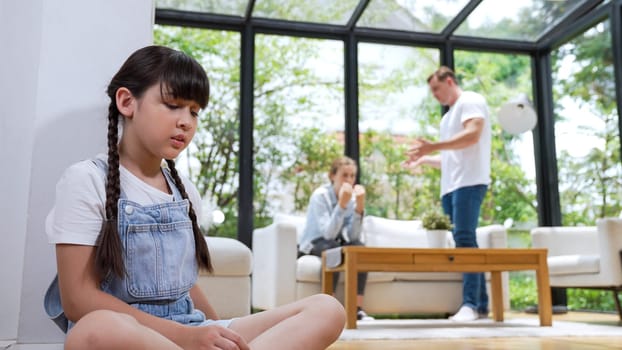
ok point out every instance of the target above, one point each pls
(109, 257)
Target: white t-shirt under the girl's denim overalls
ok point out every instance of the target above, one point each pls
(79, 209)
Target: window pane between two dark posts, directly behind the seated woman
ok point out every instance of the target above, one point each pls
(299, 120)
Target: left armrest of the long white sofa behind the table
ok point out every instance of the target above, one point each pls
(274, 260)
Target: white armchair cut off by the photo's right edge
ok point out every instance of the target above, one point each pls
(584, 256)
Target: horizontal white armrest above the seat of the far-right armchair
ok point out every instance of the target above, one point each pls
(566, 240)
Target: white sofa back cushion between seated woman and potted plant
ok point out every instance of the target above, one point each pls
(381, 232)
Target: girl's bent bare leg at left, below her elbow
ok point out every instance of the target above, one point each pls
(109, 330)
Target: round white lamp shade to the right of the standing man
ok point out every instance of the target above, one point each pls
(517, 115)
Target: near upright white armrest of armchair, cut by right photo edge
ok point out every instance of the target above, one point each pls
(610, 249)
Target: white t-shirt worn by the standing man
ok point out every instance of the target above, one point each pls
(471, 165)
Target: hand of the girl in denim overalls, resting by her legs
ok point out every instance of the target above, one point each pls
(212, 338)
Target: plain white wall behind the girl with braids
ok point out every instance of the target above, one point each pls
(56, 60)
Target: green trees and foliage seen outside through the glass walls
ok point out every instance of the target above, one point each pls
(293, 148)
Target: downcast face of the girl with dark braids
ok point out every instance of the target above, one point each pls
(159, 126)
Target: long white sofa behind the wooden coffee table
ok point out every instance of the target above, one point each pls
(279, 277)
